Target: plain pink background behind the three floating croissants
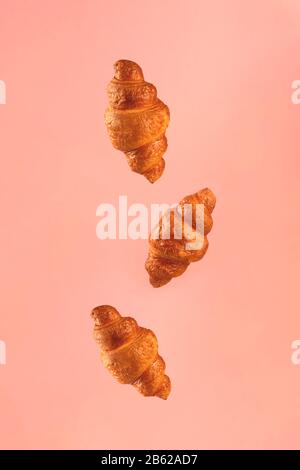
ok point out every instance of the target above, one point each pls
(225, 327)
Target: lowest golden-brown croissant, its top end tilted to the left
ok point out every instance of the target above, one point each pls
(130, 352)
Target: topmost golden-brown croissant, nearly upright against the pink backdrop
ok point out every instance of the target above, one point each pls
(137, 120)
